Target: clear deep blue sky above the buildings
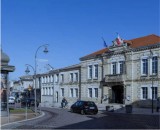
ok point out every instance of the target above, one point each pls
(72, 28)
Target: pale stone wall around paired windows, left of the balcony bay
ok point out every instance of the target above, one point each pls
(91, 83)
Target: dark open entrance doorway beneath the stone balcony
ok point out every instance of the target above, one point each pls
(117, 94)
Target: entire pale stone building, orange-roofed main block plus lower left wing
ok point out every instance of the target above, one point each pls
(127, 72)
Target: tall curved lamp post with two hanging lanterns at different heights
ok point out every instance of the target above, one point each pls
(35, 71)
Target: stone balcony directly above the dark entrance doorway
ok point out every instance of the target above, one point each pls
(115, 78)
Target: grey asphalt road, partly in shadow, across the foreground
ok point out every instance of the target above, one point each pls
(57, 118)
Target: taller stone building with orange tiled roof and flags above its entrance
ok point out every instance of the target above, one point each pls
(128, 71)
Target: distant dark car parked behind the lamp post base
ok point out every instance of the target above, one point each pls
(28, 102)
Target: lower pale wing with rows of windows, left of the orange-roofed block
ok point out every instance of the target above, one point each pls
(56, 84)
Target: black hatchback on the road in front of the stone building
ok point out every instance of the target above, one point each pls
(84, 107)
